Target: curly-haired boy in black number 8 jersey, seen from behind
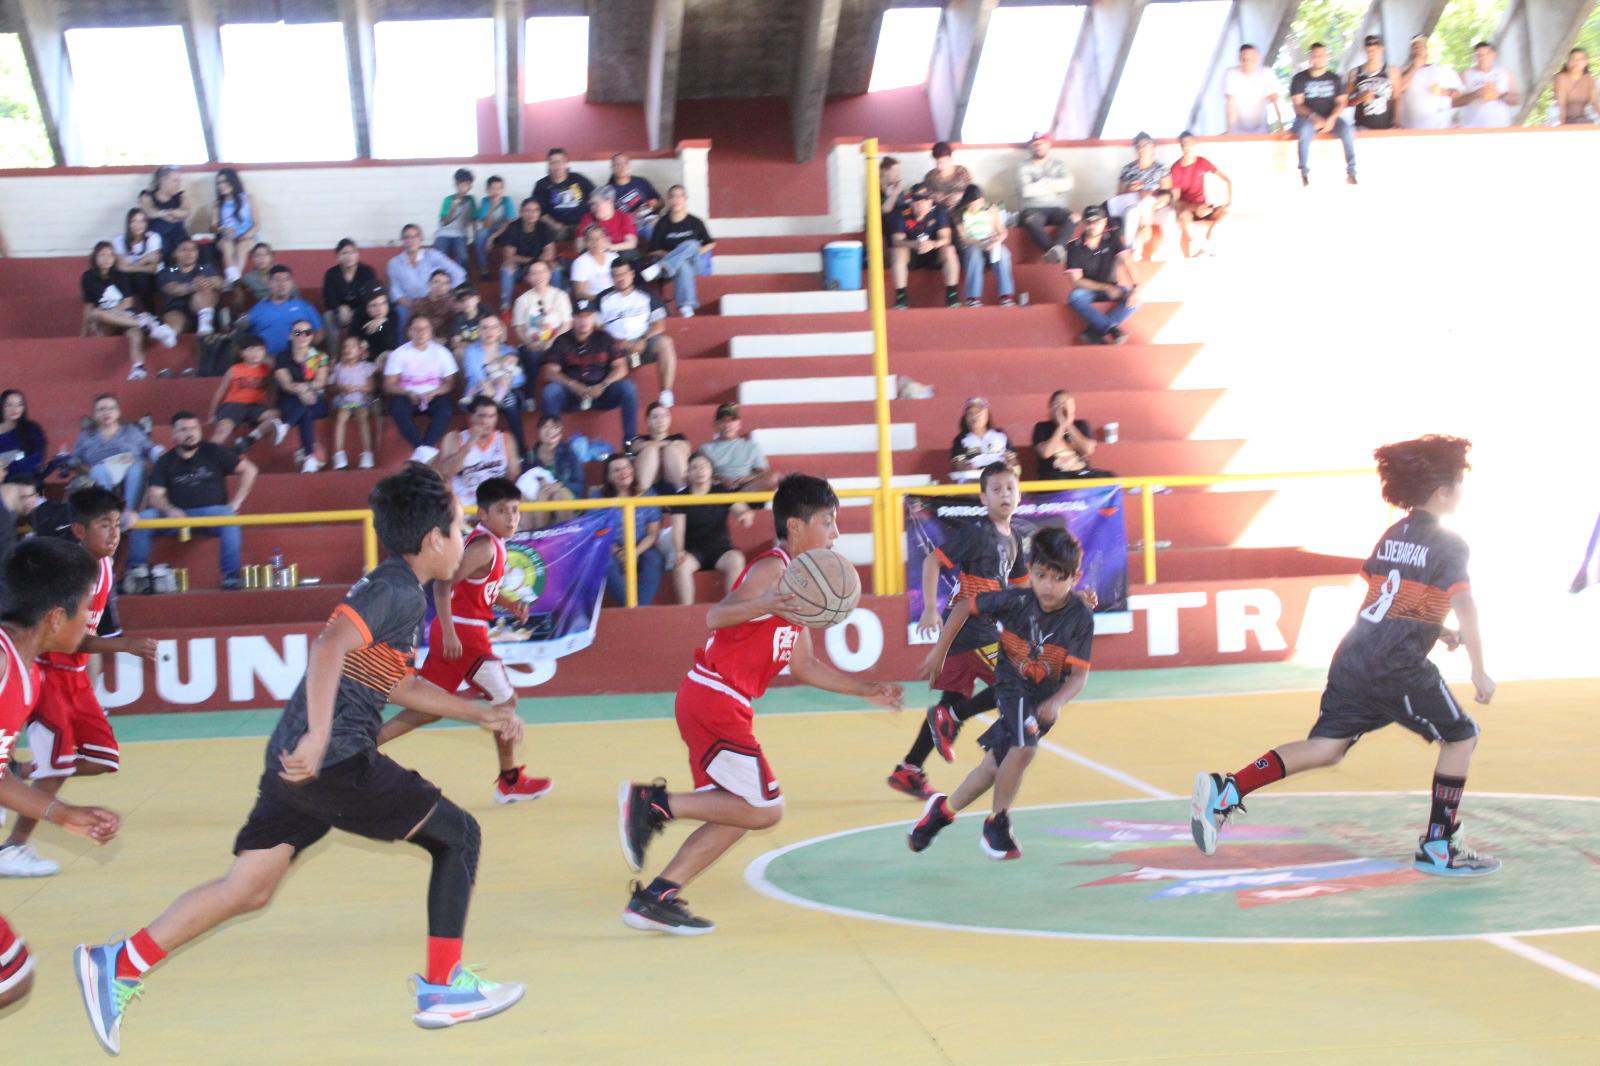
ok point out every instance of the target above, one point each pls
(1382, 673)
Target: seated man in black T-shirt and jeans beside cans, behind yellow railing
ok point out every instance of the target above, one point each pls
(191, 483)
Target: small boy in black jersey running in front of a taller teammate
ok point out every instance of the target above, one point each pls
(1046, 638)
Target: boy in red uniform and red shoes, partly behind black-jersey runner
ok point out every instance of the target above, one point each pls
(458, 639)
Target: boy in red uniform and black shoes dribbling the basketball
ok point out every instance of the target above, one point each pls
(751, 643)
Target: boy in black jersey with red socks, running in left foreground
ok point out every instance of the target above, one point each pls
(324, 772)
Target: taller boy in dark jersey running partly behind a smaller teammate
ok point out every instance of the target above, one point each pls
(988, 556)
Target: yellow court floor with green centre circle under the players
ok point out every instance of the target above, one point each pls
(855, 952)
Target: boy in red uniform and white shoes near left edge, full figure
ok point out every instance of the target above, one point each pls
(70, 732)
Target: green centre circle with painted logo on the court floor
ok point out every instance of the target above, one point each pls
(1298, 868)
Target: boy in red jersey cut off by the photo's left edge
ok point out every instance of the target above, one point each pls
(47, 596)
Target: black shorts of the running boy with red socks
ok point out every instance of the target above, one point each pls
(367, 795)
